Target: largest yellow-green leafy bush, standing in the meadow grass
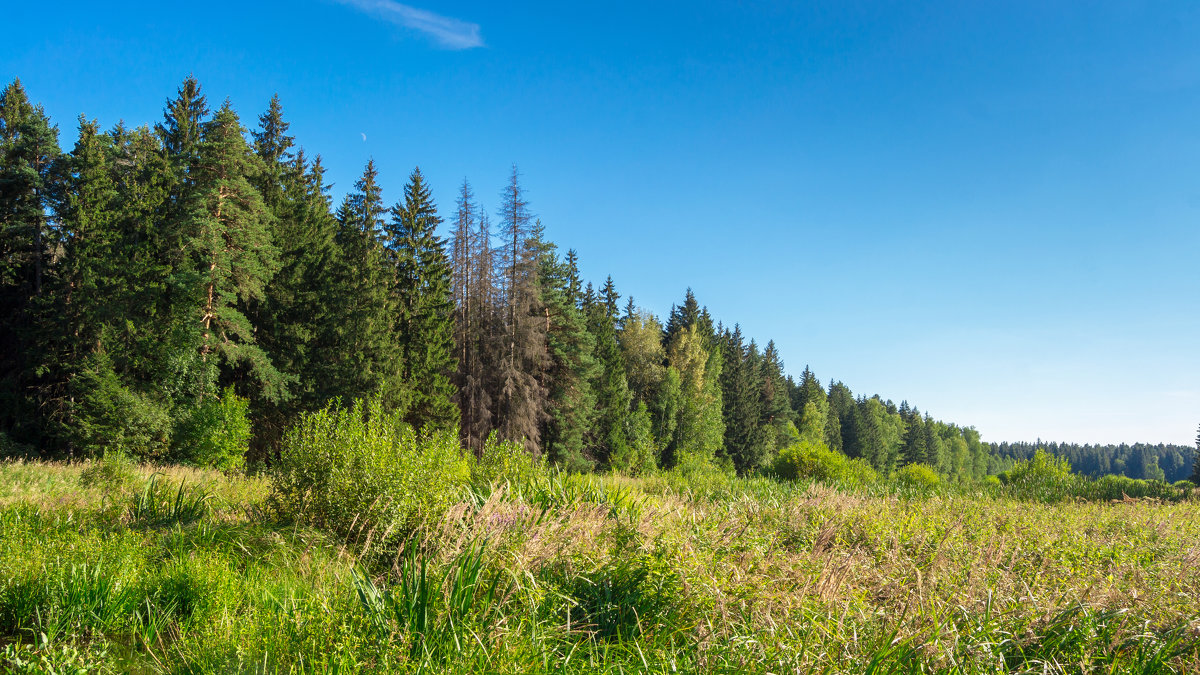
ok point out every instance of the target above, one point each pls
(362, 473)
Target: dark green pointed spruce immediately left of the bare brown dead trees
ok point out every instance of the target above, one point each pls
(425, 307)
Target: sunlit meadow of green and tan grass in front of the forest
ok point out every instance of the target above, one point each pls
(111, 569)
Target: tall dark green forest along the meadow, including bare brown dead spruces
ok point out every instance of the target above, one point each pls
(157, 282)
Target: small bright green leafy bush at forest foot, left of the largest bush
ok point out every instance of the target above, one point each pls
(217, 434)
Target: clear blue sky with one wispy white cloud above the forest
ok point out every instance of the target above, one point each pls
(988, 211)
